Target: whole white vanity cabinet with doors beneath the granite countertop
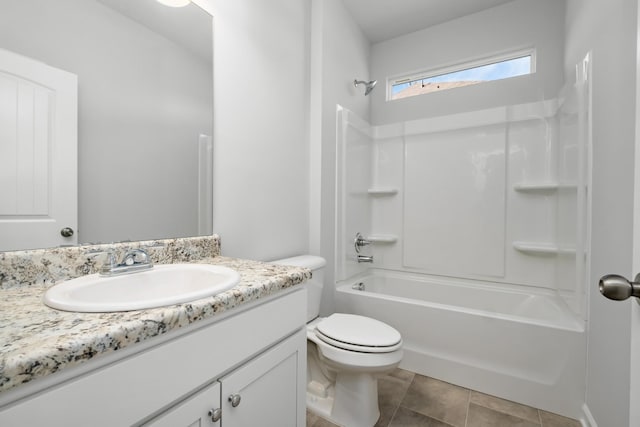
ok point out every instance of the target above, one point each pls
(256, 354)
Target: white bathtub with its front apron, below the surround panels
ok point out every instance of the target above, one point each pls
(520, 344)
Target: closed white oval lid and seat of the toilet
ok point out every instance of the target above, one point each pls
(358, 333)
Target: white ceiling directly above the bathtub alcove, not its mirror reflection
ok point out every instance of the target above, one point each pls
(385, 19)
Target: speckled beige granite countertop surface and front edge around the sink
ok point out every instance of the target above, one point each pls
(36, 340)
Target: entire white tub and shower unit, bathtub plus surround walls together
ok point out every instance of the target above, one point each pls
(487, 212)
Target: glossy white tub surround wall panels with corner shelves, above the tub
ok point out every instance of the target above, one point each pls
(495, 195)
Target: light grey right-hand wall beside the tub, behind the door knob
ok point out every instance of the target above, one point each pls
(609, 29)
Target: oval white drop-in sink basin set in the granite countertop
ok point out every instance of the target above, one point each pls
(162, 285)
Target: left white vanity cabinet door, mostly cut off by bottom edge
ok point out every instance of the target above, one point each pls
(192, 412)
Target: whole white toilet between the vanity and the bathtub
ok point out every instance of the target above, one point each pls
(345, 354)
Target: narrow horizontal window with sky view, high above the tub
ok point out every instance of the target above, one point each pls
(495, 68)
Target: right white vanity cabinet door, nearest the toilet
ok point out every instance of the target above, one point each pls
(268, 390)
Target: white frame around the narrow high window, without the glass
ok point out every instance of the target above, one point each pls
(460, 66)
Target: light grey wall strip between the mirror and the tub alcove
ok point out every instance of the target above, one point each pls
(261, 177)
